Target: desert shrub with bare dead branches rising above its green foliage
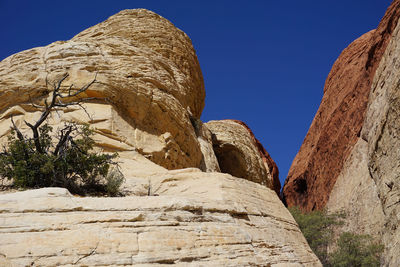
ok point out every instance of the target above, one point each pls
(66, 159)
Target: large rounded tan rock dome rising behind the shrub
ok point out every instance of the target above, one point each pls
(148, 85)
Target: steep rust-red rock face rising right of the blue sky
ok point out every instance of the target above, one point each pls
(339, 119)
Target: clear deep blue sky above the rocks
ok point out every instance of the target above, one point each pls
(263, 62)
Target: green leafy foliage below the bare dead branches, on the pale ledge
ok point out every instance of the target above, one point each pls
(70, 164)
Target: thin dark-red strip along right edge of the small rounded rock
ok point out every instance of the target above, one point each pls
(272, 167)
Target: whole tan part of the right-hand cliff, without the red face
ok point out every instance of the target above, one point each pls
(368, 188)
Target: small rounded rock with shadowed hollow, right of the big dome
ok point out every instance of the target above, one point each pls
(240, 154)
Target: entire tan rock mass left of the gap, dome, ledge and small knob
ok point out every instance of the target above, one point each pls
(178, 209)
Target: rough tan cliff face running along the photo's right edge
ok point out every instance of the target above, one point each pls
(382, 130)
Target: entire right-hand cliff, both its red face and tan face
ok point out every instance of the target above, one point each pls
(349, 158)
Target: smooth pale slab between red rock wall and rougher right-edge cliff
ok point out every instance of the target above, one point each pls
(356, 194)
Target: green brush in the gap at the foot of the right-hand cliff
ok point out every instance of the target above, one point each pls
(352, 250)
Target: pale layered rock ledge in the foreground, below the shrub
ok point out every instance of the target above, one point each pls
(185, 221)
